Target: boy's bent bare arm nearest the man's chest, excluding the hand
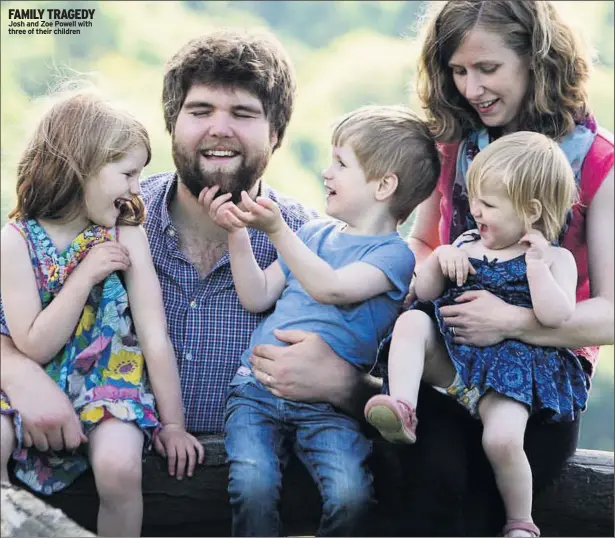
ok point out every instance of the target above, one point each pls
(257, 290)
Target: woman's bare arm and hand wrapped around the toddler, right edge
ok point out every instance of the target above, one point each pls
(483, 319)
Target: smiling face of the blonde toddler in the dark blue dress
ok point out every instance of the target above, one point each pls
(499, 225)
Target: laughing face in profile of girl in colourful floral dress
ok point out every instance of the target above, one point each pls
(114, 183)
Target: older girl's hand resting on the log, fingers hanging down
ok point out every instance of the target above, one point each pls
(181, 449)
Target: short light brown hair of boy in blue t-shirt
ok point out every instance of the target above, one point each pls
(392, 140)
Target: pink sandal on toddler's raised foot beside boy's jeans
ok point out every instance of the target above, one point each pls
(394, 418)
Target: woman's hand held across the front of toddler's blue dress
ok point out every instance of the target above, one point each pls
(482, 319)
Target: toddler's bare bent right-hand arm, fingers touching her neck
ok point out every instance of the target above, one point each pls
(552, 278)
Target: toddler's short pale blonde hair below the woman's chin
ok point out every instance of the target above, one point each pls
(529, 166)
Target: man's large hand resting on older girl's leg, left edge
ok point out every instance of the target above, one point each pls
(48, 417)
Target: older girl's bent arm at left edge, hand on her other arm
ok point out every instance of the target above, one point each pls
(38, 332)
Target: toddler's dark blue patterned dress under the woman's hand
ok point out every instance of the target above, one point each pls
(548, 380)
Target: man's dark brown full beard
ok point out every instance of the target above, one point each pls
(242, 179)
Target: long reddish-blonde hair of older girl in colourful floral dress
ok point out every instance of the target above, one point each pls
(75, 138)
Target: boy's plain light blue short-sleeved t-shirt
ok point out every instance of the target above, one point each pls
(353, 331)
